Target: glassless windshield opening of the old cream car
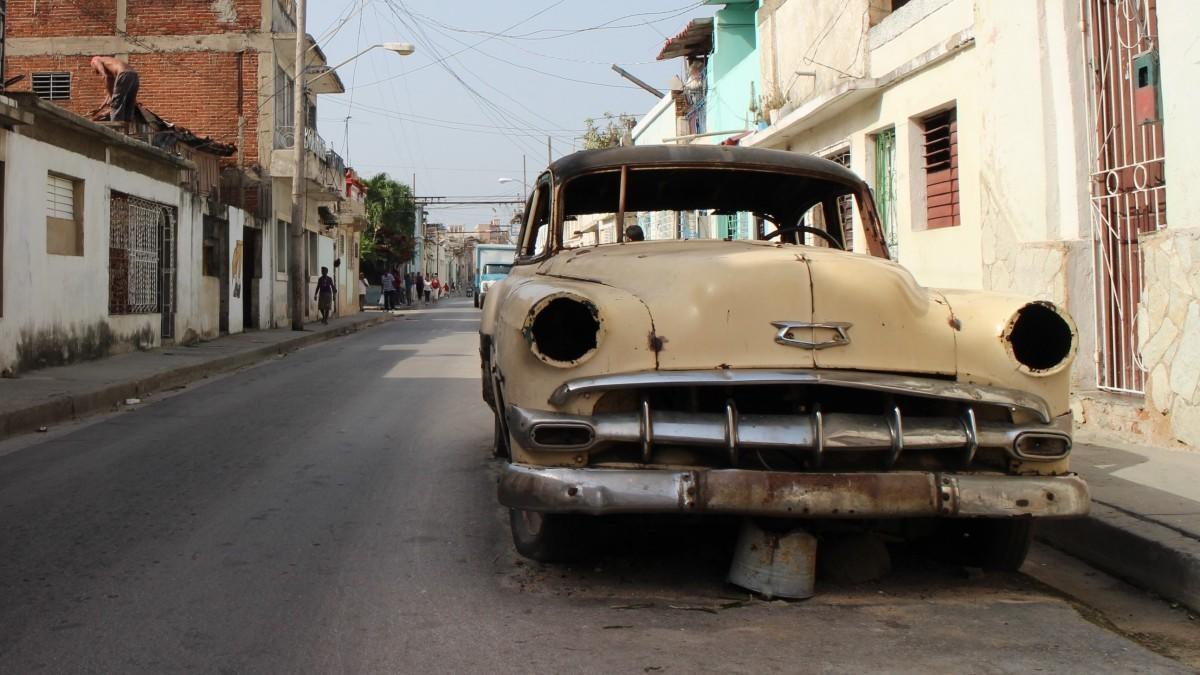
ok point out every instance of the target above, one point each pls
(703, 204)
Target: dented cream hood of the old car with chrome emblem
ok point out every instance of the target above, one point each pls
(719, 304)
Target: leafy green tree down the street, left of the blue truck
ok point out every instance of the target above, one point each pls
(389, 238)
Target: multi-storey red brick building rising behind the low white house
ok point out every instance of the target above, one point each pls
(226, 70)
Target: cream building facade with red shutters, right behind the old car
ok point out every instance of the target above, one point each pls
(1016, 147)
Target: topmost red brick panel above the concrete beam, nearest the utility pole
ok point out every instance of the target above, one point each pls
(193, 17)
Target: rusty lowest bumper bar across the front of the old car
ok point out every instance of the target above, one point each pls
(901, 494)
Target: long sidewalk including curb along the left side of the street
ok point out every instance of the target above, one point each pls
(53, 396)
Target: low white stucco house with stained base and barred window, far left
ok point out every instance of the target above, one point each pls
(107, 243)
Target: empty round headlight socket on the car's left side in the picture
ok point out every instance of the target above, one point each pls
(563, 330)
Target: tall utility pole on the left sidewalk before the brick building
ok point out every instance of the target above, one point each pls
(298, 280)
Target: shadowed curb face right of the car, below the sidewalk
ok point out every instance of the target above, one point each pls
(1139, 551)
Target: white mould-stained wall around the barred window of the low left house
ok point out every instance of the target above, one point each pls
(56, 307)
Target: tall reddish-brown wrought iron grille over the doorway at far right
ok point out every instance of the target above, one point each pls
(1129, 187)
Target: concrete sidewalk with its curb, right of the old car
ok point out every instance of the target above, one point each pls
(1145, 521)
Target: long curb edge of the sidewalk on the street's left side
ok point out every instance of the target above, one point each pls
(75, 407)
